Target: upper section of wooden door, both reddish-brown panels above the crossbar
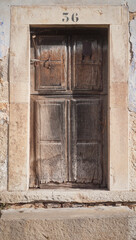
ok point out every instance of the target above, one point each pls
(69, 62)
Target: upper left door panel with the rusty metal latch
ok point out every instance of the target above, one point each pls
(51, 70)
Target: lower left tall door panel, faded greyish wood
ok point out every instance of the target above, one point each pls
(51, 148)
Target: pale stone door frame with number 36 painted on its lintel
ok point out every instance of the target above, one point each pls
(115, 18)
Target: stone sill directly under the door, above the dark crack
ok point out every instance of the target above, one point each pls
(67, 196)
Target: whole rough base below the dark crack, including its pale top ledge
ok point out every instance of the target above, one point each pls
(99, 223)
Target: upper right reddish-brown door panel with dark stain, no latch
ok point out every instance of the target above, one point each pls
(87, 63)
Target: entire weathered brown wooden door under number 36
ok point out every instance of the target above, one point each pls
(69, 108)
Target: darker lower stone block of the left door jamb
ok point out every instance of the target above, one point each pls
(18, 146)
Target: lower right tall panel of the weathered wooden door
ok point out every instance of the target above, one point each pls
(86, 140)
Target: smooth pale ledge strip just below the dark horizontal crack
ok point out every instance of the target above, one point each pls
(66, 213)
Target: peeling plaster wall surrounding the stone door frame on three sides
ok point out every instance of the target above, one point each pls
(4, 90)
